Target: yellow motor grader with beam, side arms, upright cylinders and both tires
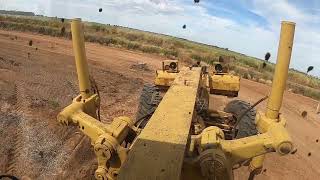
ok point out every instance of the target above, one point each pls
(178, 138)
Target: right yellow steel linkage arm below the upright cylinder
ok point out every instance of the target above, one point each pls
(212, 146)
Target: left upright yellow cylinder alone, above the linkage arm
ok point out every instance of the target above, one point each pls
(80, 56)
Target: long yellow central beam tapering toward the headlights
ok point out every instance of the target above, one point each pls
(158, 151)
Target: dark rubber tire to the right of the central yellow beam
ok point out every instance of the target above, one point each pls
(247, 126)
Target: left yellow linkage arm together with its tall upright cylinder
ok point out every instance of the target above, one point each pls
(106, 139)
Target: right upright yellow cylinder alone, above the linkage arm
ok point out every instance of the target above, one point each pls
(281, 70)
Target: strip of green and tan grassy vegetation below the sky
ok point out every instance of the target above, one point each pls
(167, 46)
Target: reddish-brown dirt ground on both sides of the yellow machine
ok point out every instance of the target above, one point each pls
(37, 81)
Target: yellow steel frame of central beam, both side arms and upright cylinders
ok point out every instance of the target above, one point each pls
(158, 152)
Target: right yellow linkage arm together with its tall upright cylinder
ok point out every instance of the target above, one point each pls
(274, 137)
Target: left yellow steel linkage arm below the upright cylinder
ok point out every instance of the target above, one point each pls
(106, 139)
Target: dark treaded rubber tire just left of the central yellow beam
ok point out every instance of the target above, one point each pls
(149, 100)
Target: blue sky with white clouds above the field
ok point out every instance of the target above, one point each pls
(247, 26)
